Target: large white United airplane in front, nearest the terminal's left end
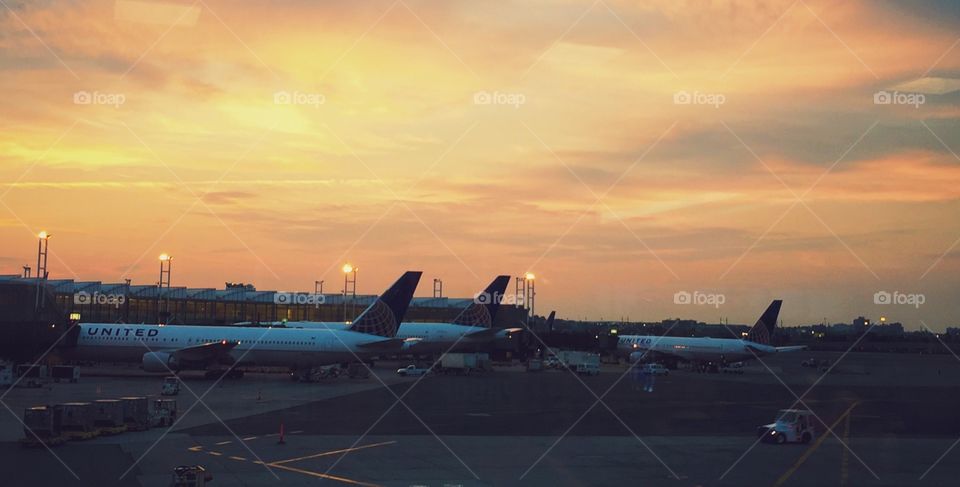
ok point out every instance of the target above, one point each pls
(173, 348)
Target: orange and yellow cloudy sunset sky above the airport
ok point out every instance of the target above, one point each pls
(270, 142)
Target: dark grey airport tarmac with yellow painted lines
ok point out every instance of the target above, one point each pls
(892, 422)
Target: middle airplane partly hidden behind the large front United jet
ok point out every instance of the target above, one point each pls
(471, 328)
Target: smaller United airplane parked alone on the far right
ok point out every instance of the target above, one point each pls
(708, 350)
